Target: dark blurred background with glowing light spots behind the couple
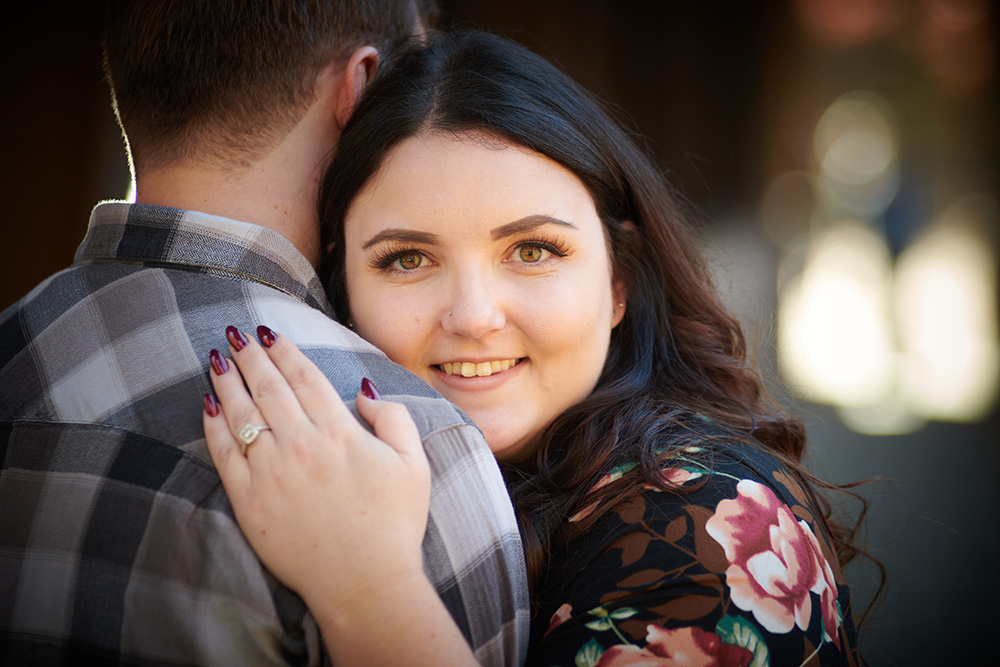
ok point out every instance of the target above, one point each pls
(840, 159)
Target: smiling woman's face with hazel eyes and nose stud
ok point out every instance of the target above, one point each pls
(483, 268)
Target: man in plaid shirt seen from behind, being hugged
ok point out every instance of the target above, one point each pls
(117, 542)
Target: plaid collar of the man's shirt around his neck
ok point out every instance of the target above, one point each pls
(157, 235)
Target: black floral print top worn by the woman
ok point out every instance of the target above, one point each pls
(736, 572)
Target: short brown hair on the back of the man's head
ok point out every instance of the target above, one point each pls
(222, 81)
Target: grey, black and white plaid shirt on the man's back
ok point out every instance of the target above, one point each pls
(117, 540)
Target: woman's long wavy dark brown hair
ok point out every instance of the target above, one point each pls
(676, 358)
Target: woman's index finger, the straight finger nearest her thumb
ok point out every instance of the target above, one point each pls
(313, 390)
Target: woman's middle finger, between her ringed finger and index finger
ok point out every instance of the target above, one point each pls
(270, 392)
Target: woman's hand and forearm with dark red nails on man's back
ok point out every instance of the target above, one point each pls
(336, 513)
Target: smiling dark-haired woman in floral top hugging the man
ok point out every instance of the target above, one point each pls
(494, 232)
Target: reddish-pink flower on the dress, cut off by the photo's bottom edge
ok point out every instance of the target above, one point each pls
(687, 647)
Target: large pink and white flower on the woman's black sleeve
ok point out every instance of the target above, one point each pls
(775, 561)
